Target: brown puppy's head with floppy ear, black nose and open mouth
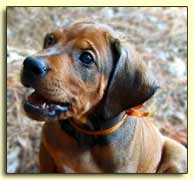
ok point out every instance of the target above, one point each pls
(80, 66)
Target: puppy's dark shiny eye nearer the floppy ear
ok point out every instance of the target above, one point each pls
(86, 58)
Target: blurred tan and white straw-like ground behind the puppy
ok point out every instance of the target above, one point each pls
(158, 33)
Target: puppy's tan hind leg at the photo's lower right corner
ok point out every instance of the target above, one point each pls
(174, 158)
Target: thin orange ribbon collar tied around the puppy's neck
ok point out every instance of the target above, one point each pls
(130, 112)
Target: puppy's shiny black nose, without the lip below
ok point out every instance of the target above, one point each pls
(35, 67)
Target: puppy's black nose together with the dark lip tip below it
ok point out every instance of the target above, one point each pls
(34, 68)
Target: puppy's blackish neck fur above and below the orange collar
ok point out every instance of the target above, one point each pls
(97, 122)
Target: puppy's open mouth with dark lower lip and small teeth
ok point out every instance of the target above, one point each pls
(39, 107)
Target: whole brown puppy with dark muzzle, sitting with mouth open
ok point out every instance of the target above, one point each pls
(84, 80)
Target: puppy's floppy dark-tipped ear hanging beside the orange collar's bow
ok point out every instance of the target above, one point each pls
(130, 83)
